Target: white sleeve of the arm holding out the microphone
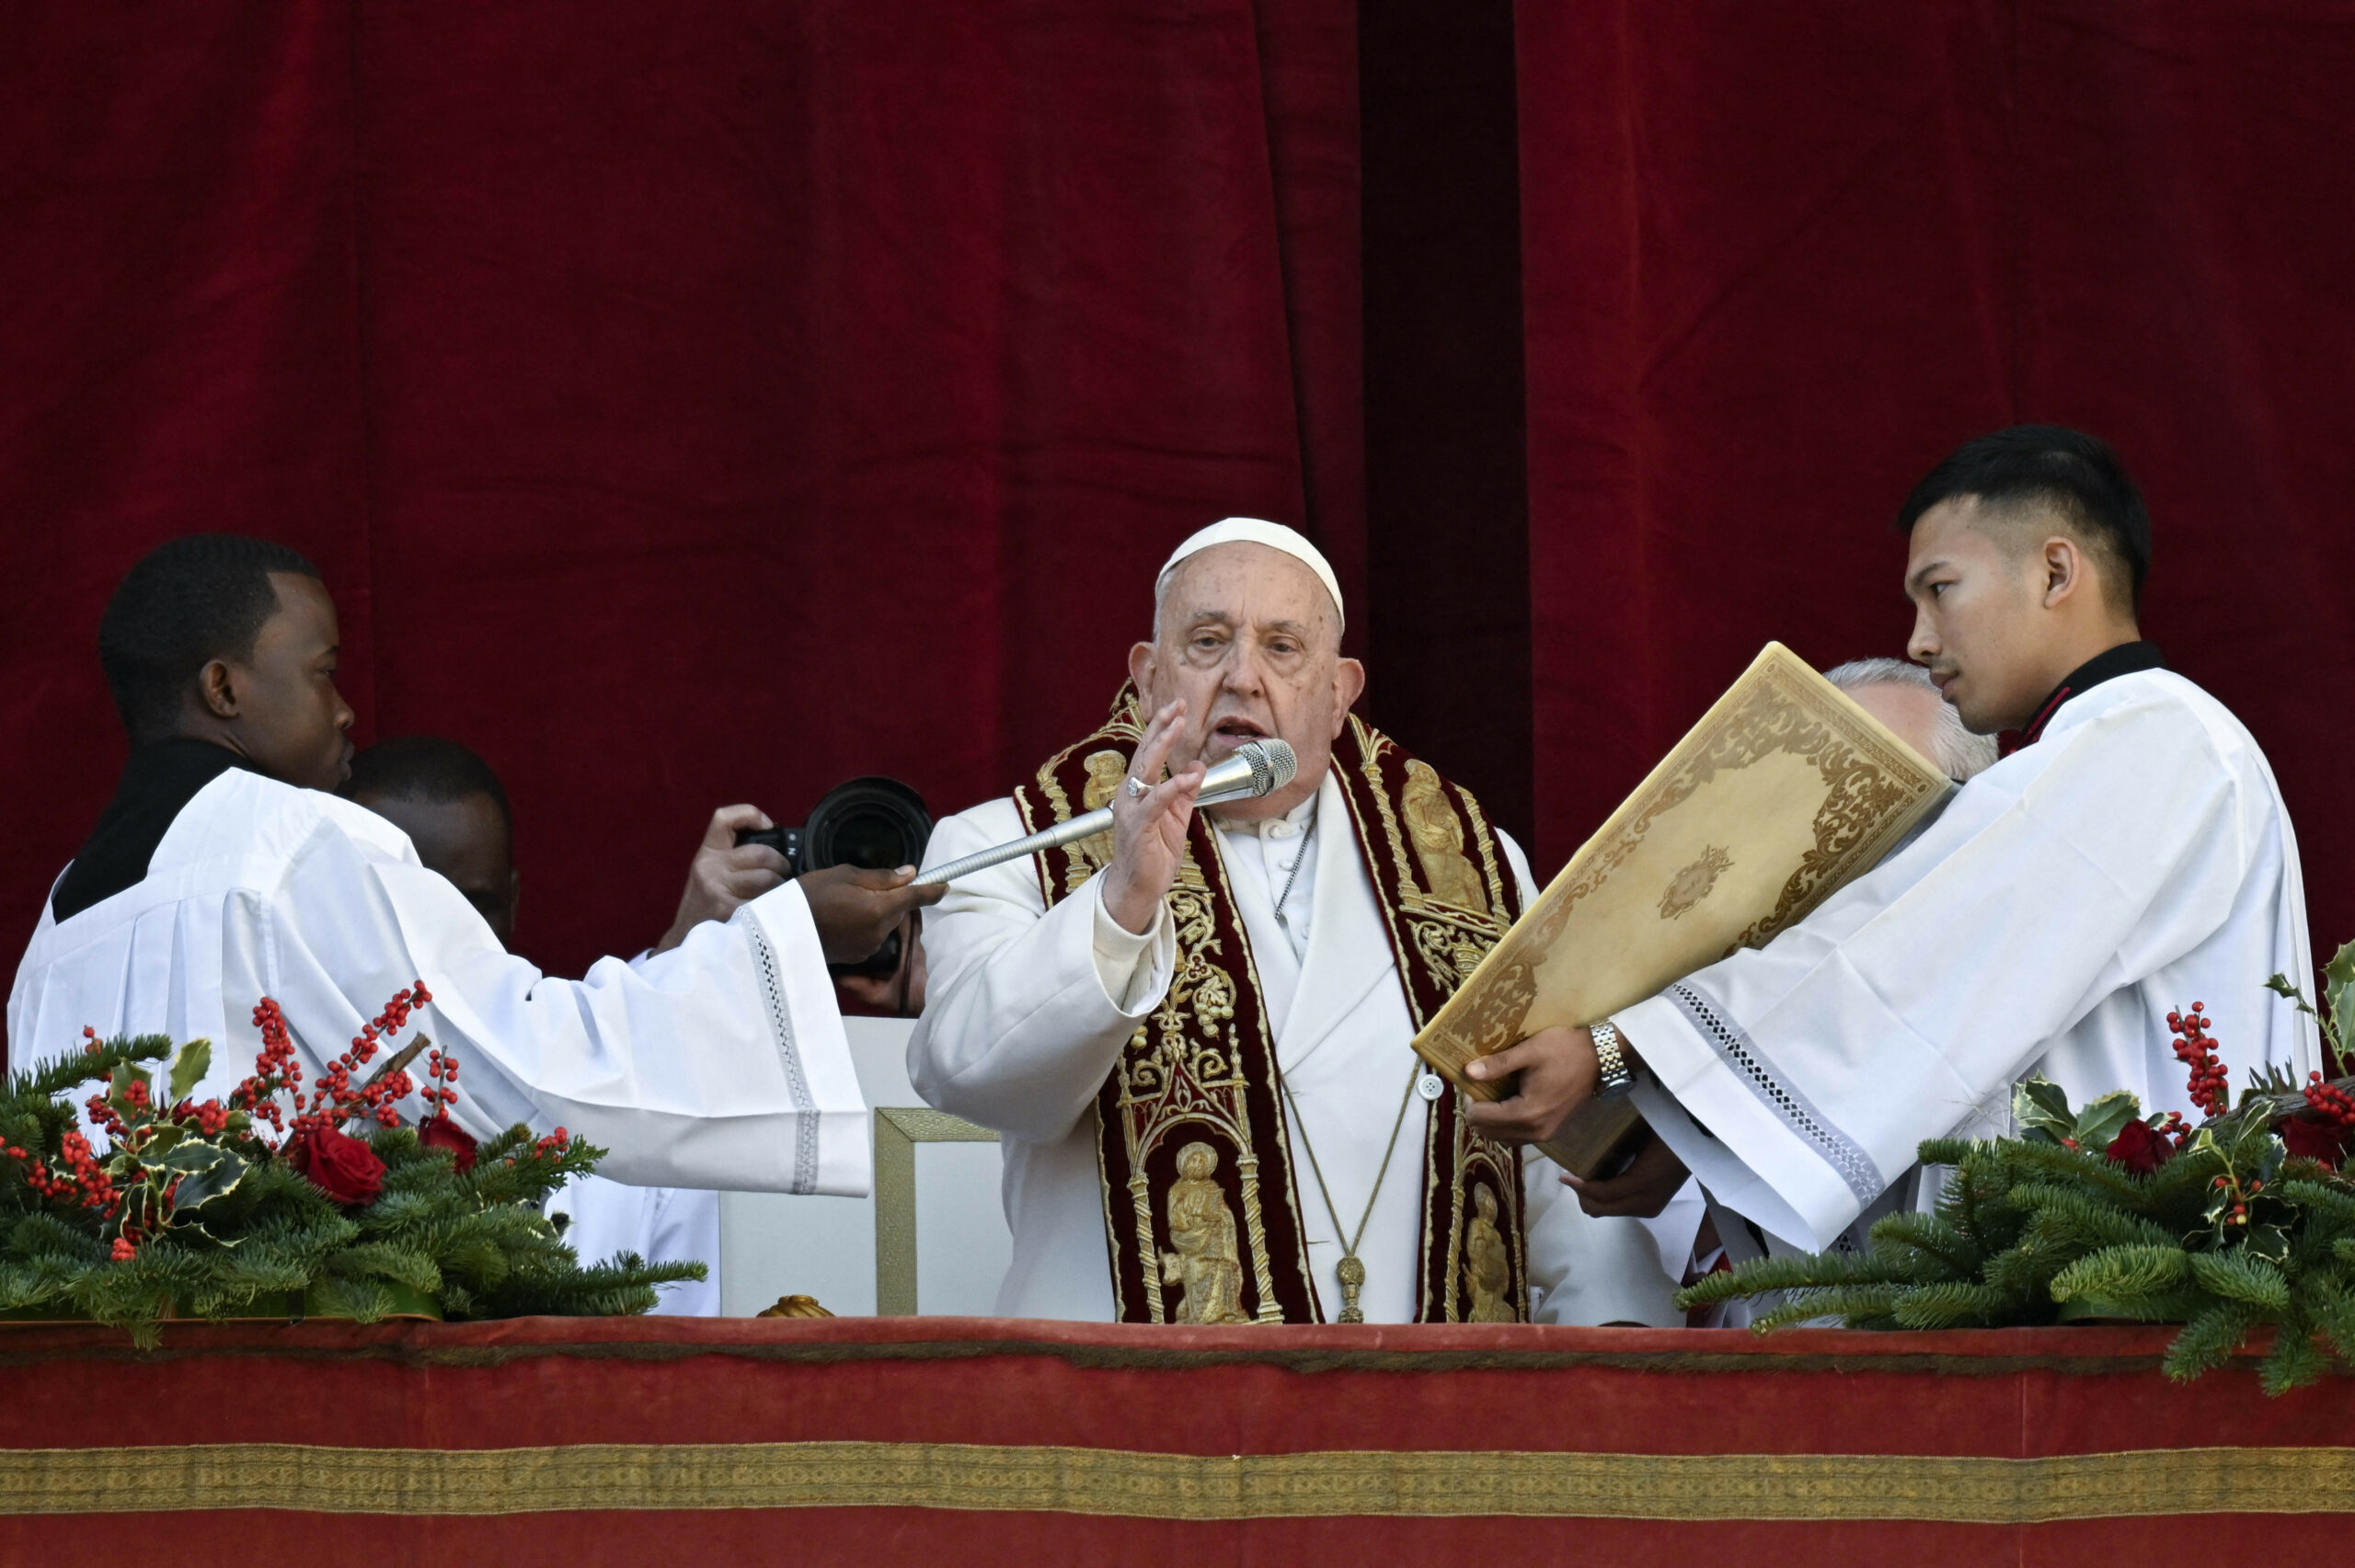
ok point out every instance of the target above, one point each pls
(715, 1065)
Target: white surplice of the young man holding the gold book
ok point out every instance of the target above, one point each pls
(2130, 863)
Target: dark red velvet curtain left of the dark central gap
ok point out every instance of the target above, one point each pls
(686, 404)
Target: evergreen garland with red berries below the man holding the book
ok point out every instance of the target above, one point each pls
(2099, 1214)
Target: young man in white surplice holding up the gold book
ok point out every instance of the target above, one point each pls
(2130, 858)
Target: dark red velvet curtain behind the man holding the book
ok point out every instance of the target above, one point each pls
(1779, 260)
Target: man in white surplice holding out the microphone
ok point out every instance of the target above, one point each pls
(225, 872)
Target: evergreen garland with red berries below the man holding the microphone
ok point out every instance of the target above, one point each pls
(197, 1216)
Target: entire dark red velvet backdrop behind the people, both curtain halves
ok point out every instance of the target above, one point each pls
(708, 404)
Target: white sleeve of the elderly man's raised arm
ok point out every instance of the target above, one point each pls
(1026, 1009)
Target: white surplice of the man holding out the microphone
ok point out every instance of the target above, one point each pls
(715, 1065)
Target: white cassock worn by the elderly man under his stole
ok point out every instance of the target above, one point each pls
(1028, 1011)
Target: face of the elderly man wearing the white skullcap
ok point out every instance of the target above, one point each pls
(1249, 639)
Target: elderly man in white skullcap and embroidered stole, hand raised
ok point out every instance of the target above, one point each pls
(1193, 1032)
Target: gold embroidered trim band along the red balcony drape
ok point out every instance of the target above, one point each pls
(1125, 1484)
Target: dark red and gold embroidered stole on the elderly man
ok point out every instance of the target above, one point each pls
(1200, 1190)
